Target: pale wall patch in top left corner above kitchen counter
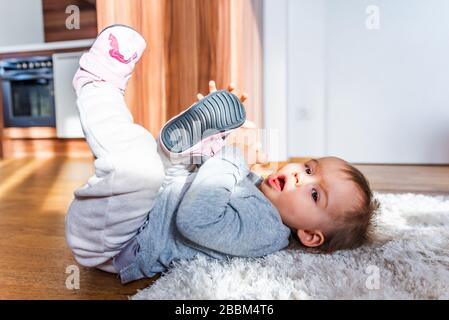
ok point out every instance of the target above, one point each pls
(21, 22)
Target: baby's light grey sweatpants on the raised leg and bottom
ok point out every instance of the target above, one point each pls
(129, 170)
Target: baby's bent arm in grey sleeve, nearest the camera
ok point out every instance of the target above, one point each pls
(207, 218)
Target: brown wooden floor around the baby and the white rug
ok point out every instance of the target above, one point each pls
(34, 196)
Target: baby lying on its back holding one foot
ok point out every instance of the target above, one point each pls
(149, 205)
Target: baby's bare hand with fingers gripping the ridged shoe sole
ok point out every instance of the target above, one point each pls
(246, 137)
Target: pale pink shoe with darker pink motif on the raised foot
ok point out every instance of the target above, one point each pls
(111, 58)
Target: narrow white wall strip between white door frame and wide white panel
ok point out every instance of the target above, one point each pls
(306, 77)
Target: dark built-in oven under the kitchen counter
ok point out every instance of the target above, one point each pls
(28, 92)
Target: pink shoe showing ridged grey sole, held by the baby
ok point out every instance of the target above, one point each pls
(200, 131)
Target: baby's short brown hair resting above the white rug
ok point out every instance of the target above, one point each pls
(355, 227)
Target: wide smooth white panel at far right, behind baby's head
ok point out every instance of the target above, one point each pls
(388, 94)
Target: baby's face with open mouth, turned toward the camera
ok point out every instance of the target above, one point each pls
(311, 195)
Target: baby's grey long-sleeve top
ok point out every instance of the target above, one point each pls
(217, 211)
